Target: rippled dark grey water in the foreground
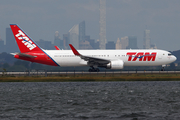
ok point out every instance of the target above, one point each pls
(90, 100)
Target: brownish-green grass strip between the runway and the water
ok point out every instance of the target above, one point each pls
(89, 78)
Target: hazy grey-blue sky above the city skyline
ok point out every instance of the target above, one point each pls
(41, 18)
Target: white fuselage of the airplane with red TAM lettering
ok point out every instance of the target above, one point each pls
(136, 57)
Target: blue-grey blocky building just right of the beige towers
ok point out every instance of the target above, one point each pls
(132, 42)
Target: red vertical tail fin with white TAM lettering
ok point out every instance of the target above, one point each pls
(25, 43)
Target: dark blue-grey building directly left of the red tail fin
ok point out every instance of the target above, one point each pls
(11, 45)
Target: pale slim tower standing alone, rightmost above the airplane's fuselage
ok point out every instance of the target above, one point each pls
(147, 40)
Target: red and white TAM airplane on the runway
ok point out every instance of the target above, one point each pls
(109, 59)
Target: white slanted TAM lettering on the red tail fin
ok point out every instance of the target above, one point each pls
(25, 40)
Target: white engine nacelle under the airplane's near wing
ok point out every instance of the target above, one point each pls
(116, 64)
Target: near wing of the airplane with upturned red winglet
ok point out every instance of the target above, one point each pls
(91, 60)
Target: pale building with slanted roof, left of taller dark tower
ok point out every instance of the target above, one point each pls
(73, 36)
